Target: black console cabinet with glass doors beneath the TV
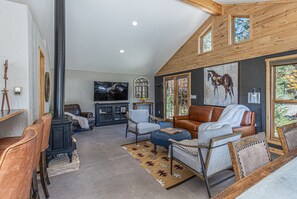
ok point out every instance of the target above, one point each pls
(108, 114)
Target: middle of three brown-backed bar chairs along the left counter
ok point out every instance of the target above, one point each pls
(38, 128)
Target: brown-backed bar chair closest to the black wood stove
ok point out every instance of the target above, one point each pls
(44, 179)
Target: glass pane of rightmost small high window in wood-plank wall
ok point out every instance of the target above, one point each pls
(241, 29)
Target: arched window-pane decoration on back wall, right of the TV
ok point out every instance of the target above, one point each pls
(141, 88)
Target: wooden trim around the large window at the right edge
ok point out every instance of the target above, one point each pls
(270, 93)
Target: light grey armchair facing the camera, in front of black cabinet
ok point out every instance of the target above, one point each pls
(140, 122)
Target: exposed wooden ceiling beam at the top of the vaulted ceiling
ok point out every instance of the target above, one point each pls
(209, 6)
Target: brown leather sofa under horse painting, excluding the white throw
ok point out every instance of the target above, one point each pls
(201, 114)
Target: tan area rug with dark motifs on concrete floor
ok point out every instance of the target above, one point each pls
(158, 165)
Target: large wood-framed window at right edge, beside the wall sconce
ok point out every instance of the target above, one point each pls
(282, 96)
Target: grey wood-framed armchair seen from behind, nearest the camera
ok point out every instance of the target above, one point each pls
(207, 155)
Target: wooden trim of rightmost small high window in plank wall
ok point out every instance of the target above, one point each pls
(232, 29)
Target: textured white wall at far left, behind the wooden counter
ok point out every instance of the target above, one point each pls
(20, 39)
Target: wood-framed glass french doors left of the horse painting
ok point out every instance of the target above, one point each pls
(177, 92)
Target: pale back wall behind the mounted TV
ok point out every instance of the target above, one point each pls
(79, 87)
